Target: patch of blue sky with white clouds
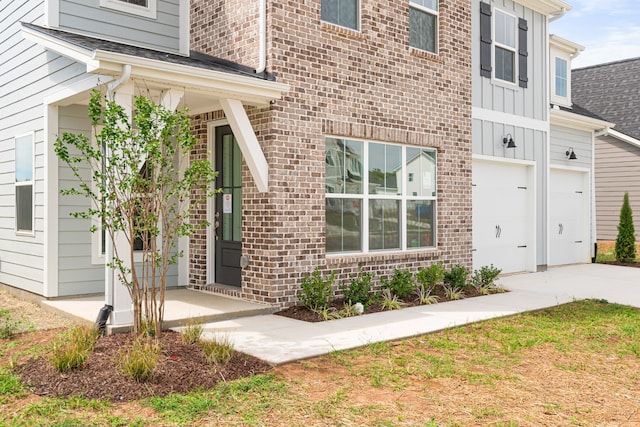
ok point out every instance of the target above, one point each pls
(608, 29)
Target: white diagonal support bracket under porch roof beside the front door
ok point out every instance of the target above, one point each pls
(247, 141)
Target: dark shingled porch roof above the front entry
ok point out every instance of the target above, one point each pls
(195, 59)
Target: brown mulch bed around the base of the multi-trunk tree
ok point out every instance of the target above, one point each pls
(181, 368)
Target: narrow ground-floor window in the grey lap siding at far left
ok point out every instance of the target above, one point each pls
(24, 183)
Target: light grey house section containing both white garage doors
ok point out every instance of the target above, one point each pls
(532, 204)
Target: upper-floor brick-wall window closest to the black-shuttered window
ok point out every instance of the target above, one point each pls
(423, 25)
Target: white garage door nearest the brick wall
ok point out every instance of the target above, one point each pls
(503, 216)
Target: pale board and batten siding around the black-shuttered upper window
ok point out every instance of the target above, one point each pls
(495, 95)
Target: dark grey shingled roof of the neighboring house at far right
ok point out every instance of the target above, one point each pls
(612, 92)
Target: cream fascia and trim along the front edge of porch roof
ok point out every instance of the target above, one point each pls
(248, 89)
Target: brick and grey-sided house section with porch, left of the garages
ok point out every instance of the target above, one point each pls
(315, 114)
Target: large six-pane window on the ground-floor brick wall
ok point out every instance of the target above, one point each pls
(395, 210)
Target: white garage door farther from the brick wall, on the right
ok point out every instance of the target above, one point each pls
(569, 216)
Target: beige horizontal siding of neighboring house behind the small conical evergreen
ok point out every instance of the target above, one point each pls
(617, 170)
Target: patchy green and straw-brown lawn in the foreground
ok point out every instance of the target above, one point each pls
(574, 364)
